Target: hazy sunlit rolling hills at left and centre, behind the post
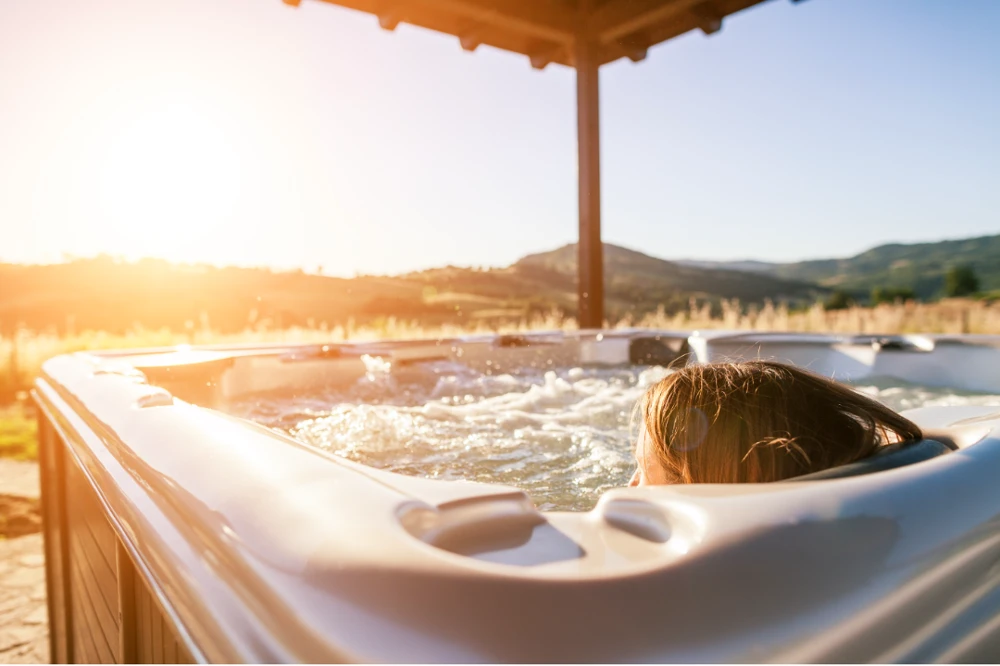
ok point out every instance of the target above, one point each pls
(106, 294)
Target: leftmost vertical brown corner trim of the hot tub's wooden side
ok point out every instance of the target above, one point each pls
(51, 456)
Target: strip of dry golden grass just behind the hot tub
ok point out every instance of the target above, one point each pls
(22, 355)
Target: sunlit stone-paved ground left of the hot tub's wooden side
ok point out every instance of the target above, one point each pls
(23, 613)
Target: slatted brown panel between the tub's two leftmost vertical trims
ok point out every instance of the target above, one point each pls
(94, 581)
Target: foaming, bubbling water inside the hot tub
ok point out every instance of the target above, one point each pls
(562, 435)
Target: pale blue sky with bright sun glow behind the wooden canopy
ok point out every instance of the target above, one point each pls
(246, 131)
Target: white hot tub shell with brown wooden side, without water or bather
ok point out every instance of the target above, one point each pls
(175, 530)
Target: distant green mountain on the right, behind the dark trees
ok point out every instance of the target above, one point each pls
(917, 266)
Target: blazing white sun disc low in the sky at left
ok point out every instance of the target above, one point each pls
(169, 178)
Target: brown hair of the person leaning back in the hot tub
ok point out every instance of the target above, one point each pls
(759, 421)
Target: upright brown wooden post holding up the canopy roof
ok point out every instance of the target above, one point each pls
(590, 286)
